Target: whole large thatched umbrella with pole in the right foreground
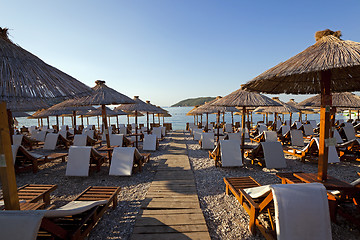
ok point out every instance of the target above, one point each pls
(330, 65)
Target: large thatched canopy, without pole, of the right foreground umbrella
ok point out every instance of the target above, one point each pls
(301, 73)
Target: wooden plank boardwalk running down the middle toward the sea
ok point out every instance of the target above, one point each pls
(171, 209)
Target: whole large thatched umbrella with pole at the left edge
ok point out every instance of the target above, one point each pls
(26, 78)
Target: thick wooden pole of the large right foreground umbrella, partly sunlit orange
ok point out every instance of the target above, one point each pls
(326, 103)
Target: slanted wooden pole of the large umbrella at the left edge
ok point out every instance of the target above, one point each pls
(7, 171)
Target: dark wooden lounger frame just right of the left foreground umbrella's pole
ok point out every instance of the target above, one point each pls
(28, 162)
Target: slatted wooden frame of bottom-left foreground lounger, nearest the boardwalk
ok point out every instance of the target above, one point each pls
(79, 226)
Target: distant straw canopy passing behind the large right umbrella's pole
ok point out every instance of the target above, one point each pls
(344, 100)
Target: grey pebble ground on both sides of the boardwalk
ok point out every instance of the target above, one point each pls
(225, 218)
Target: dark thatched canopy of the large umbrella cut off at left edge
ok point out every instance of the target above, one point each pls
(23, 75)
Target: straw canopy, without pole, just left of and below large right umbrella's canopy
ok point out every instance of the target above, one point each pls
(242, 98)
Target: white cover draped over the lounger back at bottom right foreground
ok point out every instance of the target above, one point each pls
(301, 210)
